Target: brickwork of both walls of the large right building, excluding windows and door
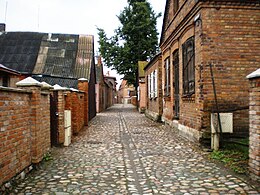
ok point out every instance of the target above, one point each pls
(226, 36)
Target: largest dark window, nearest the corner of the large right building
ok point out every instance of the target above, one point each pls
(188, 67)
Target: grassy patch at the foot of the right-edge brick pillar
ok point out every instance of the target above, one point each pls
(234, 156)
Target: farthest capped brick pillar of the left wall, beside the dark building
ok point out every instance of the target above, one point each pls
(83, 86)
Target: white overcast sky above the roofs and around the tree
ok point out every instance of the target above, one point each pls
(68, 16)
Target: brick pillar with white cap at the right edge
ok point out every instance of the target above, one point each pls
(254, 124)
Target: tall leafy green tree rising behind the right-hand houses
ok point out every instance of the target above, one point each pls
(135, 40)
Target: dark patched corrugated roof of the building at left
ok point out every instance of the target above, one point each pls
(63, 56)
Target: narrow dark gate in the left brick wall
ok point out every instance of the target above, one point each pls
(54, 118)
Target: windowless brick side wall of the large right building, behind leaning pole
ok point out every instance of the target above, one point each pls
(230, 42)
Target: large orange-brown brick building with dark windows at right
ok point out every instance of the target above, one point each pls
(196, 35)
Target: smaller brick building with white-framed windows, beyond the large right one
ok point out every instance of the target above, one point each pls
(153, 75)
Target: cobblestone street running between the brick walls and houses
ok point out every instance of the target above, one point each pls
(122, 152)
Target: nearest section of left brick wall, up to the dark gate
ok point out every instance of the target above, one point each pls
(25, 129)
